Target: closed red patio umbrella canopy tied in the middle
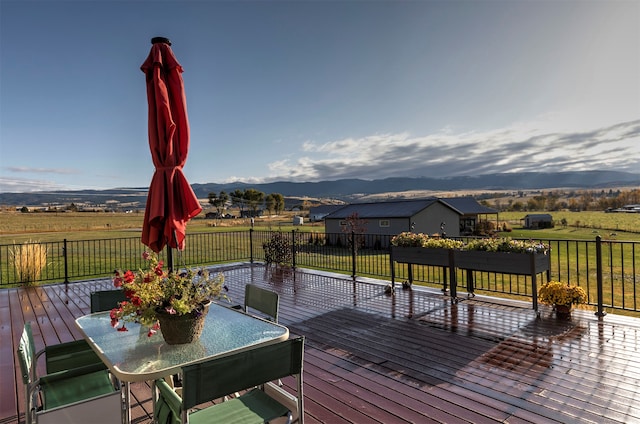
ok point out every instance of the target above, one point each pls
(171, 202)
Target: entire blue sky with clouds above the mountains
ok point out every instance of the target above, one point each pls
(320, 90)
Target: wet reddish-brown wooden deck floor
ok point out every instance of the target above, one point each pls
(413, 357)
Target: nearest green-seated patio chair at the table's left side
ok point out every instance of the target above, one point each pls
(74, 395)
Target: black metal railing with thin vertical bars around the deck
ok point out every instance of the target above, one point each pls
(608, 270)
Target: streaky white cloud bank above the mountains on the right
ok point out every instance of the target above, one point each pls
(521, 147)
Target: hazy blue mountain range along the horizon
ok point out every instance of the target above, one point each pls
(348, 190)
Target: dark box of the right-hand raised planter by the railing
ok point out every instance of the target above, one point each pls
(502, 262)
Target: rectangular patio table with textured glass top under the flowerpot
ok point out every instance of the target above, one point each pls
(132, 356)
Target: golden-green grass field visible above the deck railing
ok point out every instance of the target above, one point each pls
(18, 227)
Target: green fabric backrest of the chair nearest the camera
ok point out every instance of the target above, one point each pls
(216, 378)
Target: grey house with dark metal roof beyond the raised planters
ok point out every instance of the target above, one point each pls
(433, 215)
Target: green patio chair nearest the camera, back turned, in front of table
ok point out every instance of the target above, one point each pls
(248, 370)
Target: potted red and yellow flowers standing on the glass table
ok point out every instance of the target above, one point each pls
(159, 299)
